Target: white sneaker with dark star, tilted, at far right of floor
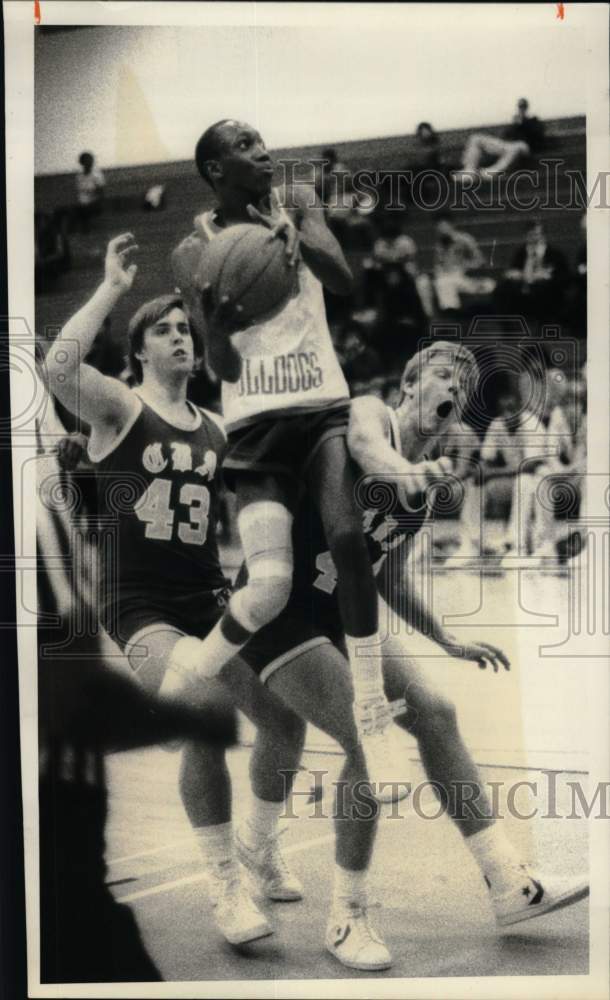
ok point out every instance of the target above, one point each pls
(532, 897)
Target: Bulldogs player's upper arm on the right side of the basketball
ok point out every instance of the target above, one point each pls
(319, 248)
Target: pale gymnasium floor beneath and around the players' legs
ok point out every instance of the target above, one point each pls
(434, 913)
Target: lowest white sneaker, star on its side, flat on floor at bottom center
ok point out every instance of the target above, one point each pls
(351, 939)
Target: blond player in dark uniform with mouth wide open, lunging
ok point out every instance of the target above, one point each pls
(298, 655)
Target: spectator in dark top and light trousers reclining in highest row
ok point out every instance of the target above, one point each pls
(520, 139)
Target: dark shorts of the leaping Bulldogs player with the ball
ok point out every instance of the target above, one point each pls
(283, 445)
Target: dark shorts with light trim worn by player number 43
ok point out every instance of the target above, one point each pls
(194, 613)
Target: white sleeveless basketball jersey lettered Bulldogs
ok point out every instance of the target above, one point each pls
(289, 362)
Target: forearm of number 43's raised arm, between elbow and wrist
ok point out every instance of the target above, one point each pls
(71, 347)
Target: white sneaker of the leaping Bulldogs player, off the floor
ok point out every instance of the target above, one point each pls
(384, 754)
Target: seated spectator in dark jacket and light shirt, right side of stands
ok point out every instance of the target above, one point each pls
(535, 284)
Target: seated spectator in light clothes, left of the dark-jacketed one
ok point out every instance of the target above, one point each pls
(455, 254)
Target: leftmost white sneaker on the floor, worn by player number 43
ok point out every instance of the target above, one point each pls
(236, 915)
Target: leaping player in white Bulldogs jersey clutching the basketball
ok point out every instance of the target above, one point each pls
(286, 406)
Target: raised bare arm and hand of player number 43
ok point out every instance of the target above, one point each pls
(87, 393)
